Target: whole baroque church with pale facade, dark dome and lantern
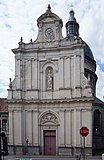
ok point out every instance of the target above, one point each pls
(53, 93)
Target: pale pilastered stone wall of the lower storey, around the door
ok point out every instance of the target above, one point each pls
(70, 120)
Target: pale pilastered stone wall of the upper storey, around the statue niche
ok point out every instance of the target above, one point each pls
(68, 70)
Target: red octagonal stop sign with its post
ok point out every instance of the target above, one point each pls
(84, 131)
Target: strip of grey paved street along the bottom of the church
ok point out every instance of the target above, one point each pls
(50, 158)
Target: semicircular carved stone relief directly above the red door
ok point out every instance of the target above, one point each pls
(49, 117)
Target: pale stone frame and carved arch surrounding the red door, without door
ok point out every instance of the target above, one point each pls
(48, 120)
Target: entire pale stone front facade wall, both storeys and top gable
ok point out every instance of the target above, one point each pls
(69, 101)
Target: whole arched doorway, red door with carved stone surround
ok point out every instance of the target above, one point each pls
(49, 123)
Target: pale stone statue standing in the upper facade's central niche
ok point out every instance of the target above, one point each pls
(49, 79)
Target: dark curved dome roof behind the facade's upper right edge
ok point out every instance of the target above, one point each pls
(88, 51)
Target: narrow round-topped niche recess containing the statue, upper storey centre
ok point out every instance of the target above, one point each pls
(49, 78)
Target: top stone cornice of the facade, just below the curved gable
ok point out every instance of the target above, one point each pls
(38, 47)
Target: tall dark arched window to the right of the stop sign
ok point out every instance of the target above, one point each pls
(97, 121)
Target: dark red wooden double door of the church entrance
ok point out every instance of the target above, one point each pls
(50, 142)
